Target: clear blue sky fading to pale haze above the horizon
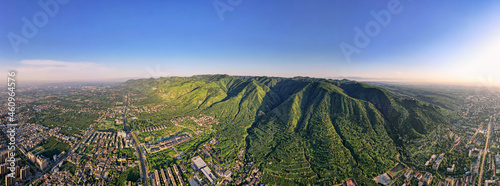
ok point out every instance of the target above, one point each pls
(424, 40)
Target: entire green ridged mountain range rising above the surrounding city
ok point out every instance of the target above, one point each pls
(300, 130)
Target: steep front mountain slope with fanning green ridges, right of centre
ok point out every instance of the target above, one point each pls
(336, 135)
